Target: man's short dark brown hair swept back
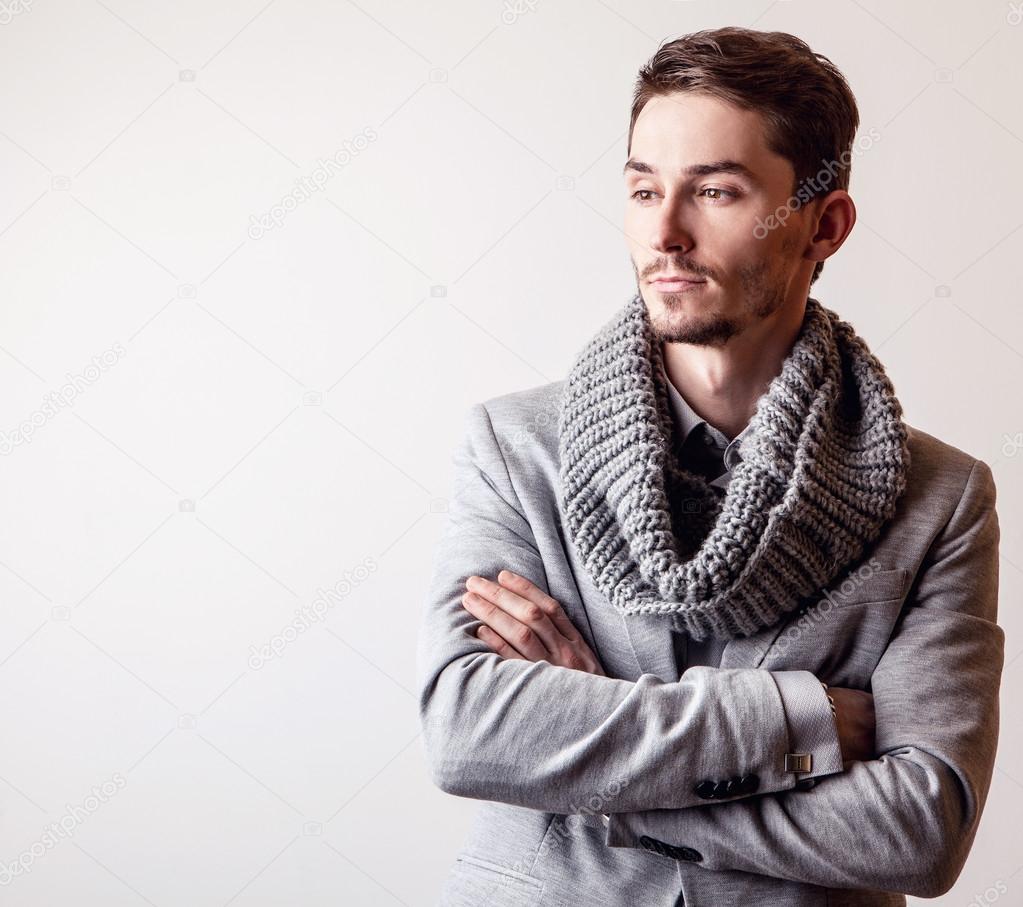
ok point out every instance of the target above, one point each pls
(809, 110)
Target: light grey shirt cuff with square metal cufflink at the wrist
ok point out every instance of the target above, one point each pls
(812, 725)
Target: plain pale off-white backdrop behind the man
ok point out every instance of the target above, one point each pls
(258, 259)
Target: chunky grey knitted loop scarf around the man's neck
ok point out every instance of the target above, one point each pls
(823, 466)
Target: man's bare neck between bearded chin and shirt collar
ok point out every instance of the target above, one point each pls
(724, 385)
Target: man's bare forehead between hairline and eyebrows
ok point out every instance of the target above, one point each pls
(676, 131)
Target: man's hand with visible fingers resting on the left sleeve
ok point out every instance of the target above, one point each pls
(523, 622)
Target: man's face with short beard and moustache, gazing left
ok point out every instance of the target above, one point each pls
(699, 180)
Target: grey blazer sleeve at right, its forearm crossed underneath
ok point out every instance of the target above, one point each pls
(905, 822)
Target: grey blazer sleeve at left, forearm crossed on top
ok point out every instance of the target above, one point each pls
(551, 739)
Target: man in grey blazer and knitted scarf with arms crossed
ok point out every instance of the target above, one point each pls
(710, 624)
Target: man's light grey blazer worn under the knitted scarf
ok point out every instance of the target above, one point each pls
(551, 750)
